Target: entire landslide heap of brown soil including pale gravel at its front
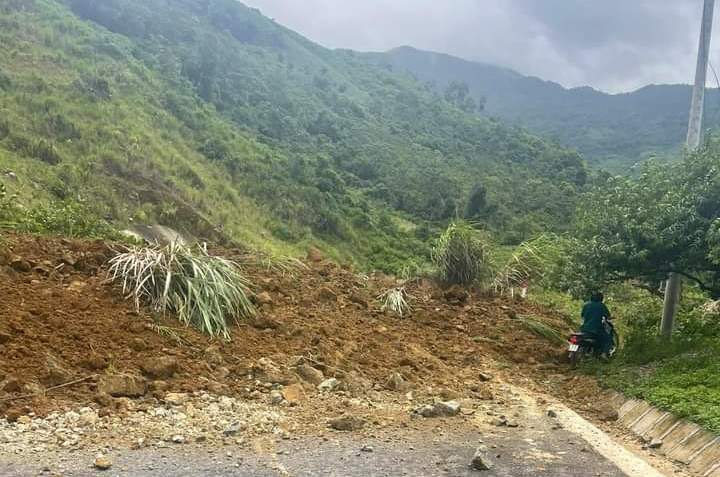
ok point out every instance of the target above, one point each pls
(62, 322)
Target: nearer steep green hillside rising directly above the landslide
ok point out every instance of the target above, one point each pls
(206, 115)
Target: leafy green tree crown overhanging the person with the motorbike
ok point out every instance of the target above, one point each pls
(665, 220)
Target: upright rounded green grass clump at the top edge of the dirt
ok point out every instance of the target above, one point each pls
(461, 255)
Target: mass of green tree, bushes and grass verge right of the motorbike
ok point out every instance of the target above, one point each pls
(629, 234)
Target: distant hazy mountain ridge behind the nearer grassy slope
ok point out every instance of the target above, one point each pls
(614, 131)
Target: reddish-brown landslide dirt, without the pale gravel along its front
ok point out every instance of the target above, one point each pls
(61, 321)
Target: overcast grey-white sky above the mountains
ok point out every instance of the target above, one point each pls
(613, 45)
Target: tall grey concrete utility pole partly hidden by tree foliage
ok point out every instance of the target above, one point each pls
(674, 284)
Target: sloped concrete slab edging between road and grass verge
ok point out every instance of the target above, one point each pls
(682, 441)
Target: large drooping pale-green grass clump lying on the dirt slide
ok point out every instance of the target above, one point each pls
(203, 291)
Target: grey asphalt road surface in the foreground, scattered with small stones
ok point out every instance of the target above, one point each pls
(514, 452)
